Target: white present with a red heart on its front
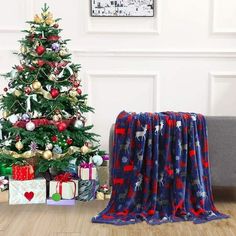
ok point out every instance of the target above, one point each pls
(27, 192)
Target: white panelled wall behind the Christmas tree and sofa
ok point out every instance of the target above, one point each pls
(183, 59)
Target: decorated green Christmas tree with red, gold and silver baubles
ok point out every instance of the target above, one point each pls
(44, 107)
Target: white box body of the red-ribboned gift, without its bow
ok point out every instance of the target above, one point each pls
(69, 190)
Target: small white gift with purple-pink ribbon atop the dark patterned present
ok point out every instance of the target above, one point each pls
(87, 171)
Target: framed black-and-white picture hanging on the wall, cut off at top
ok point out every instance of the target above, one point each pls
(121, 8)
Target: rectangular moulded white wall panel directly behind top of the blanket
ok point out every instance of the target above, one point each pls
(110, 93)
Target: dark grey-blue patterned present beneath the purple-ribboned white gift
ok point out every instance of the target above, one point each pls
(87, 190)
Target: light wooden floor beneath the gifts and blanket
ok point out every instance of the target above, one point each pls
(43, 220)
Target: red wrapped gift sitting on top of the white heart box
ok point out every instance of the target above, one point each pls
(22, 172)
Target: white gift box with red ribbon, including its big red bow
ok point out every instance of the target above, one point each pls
(65, 186)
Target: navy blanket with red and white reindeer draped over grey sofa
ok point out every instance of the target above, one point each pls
(160, 170)
